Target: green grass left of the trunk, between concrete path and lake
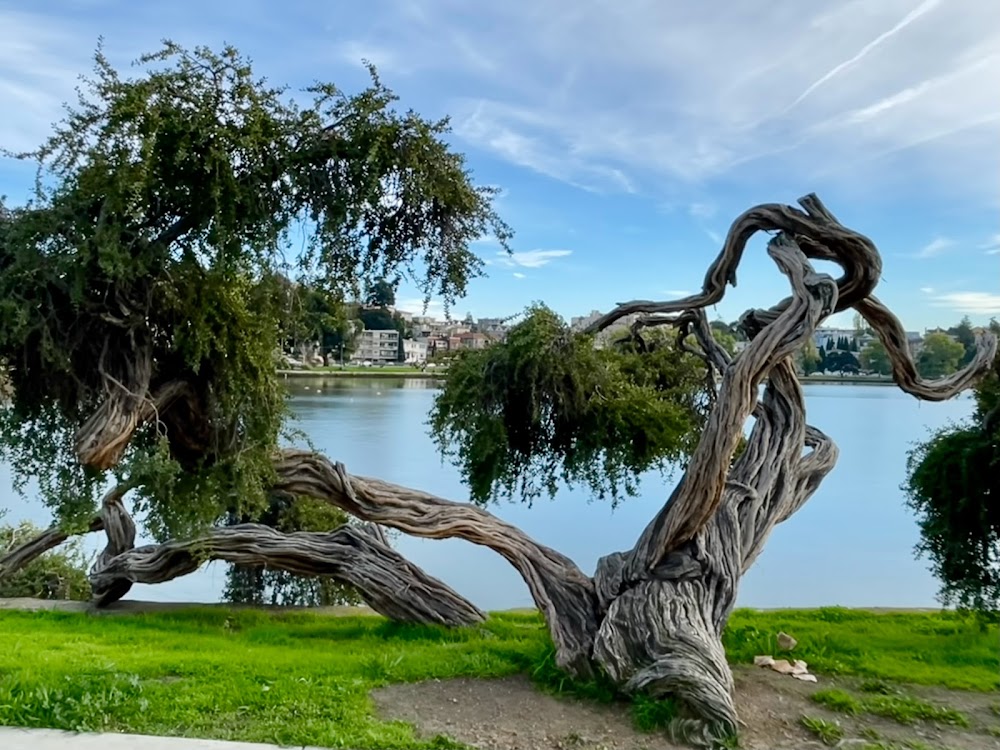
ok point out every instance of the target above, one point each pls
(289, 679)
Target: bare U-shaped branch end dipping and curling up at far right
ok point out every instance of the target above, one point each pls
(904, 370)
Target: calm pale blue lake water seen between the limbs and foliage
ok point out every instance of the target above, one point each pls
(851, 545)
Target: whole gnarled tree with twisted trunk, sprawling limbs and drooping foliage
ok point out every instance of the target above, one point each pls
(140, 327)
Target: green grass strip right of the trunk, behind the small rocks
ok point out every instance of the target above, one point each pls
(932, 648)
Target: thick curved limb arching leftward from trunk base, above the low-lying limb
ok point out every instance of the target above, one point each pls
(560, 590)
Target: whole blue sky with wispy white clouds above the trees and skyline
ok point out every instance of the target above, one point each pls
(627, 135)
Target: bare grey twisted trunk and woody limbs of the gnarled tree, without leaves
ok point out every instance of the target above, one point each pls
(651, 617)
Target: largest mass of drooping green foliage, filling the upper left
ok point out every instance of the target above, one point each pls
(152, 253)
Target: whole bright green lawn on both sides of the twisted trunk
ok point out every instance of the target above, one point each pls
(298, 678)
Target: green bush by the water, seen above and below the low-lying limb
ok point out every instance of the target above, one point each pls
(265, 586)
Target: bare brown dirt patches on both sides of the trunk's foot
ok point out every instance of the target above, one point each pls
(511, 714)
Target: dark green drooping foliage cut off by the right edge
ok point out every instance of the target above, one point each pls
(953, 480)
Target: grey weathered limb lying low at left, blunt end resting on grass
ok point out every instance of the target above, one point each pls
(353, 555)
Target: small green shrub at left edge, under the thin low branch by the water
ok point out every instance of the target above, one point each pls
(58, 574)
